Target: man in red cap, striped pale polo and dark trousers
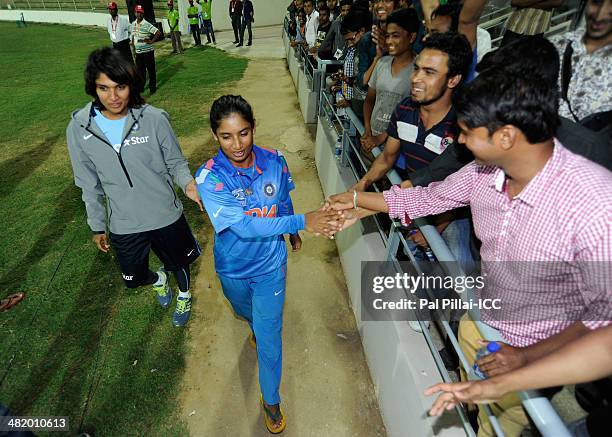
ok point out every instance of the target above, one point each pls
(143, 35)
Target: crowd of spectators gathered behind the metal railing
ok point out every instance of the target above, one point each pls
(434, 95)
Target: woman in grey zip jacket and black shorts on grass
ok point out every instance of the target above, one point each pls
(126, 160)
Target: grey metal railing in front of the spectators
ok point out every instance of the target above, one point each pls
(348, 128)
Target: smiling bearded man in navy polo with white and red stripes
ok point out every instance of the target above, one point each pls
(424, 125)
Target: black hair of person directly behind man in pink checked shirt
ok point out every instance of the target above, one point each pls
(524, 57)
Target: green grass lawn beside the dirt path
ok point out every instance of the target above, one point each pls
(81, 345)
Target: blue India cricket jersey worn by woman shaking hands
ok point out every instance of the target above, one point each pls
(250, 209)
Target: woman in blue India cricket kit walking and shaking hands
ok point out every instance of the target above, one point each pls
(245, 189)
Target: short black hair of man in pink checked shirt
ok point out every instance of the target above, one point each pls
(495, 99)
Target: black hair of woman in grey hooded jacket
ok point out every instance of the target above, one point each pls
(118, 69)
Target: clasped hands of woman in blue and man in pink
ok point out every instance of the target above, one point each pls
(336, 214)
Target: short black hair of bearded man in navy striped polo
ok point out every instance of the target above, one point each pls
(457, 48)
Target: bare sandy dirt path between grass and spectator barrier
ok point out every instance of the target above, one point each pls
(326, 387)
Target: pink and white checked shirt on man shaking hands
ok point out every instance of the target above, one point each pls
(546, 252)
